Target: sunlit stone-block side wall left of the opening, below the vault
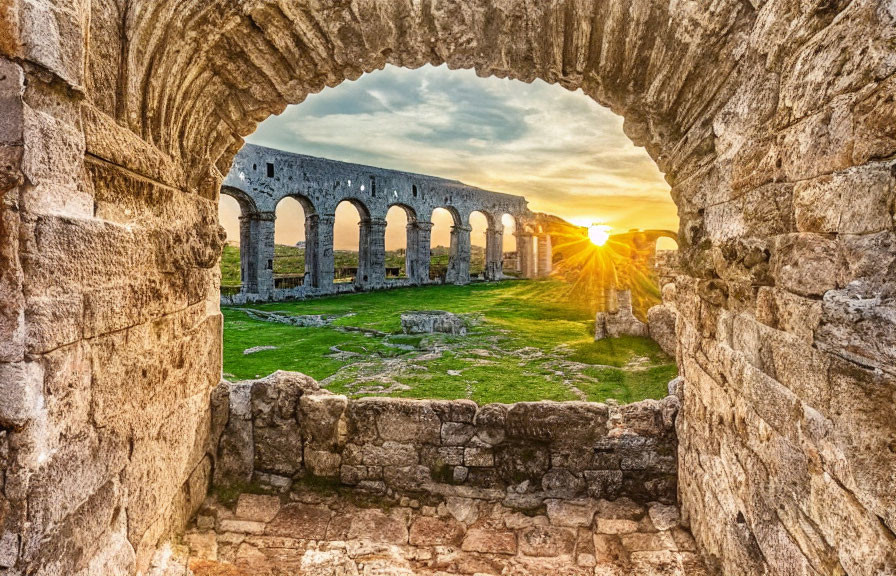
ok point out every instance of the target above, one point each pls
(110, 334)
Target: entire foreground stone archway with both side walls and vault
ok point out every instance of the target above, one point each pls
(773, 121)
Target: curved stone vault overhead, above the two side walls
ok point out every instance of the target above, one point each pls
(201, 75)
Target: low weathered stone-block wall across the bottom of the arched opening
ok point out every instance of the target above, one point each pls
(284, 427)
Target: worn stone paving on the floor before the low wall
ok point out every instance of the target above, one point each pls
(318, 533)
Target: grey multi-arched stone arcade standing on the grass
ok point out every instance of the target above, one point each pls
(261, 177)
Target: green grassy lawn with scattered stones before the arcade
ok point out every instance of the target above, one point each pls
(527, 341)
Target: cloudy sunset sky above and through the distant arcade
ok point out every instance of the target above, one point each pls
(561, 150)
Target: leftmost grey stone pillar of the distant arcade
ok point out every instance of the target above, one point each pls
(257, 253)
